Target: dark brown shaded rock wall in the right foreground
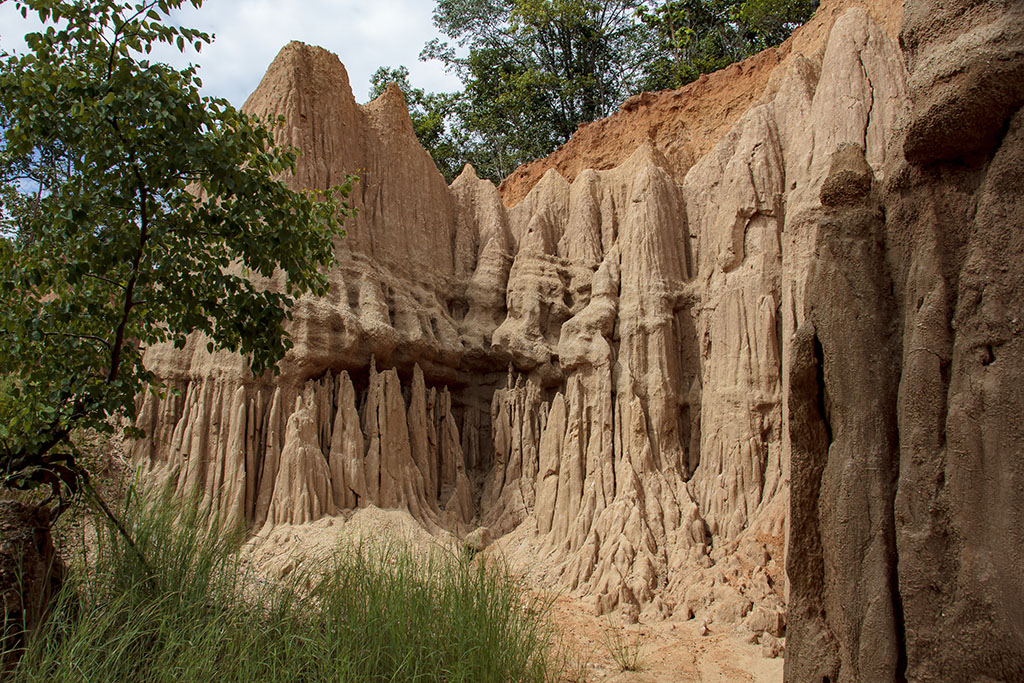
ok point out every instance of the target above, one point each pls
(907, 449)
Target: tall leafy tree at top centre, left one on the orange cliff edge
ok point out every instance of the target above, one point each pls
(535, 70)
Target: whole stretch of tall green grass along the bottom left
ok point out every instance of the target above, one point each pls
(190, 612)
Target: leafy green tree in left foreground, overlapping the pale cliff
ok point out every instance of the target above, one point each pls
(136, 212)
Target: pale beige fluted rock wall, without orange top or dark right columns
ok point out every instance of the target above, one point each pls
(594, 374)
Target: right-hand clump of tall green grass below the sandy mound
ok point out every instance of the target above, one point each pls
(420, 618)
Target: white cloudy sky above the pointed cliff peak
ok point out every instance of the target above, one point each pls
(366, 34)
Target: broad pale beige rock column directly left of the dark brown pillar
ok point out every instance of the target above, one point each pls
(735, 200)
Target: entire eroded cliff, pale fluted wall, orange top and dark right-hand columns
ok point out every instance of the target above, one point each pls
(751, 352)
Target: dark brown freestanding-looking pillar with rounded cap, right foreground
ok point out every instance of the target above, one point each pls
(851, 517)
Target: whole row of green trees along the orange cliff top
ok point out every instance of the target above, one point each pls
(533, 71)
